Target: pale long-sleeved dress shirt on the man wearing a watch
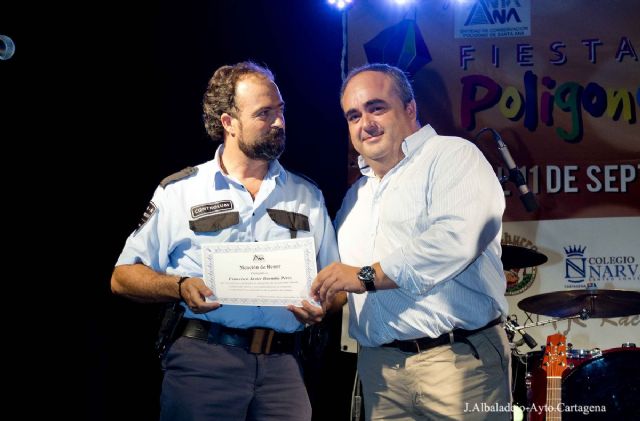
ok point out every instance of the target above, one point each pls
(434, 223)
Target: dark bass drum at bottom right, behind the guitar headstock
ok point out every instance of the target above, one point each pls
(609, 383)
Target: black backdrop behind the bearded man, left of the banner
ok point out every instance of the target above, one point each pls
(99, 103)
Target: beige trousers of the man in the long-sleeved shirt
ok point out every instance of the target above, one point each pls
(442, 383)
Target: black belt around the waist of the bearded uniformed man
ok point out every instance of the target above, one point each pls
(255, 341)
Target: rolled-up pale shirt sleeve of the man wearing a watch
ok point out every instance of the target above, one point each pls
(465, 204)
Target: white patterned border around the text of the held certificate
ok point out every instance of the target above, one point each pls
(209, 267)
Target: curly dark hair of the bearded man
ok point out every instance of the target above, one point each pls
(219, 98)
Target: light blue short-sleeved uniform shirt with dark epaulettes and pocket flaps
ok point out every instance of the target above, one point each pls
(167, 244)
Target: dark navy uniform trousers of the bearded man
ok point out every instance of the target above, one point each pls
(208, 381)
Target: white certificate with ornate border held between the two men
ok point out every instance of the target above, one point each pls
(268, 273)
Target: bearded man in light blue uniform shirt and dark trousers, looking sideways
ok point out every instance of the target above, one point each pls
(219, 367)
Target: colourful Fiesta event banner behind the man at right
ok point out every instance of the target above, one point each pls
(559, 84)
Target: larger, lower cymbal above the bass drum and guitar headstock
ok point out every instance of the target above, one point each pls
(595, 303)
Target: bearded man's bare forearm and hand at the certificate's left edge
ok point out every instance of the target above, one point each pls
(142, 284)
